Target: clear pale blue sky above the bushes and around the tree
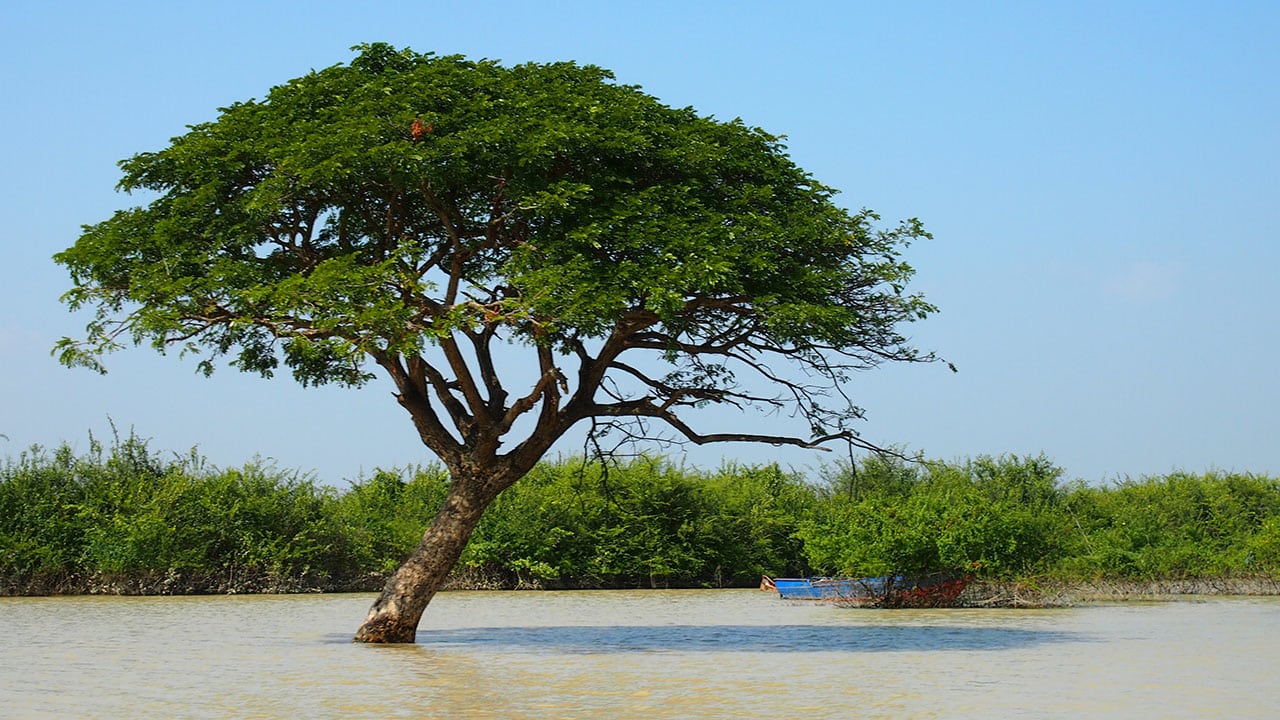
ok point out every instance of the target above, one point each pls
(1101, 180)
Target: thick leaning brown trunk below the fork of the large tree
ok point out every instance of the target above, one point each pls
(397, 612)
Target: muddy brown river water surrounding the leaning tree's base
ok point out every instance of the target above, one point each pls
(643, 654)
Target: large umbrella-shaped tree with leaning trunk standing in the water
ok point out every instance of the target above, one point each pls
(438, 218)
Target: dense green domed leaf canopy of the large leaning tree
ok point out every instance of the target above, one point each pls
(310, 216)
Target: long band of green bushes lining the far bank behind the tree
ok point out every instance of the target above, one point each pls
(126, 520)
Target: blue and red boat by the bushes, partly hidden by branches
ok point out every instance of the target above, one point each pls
(934, 590)
